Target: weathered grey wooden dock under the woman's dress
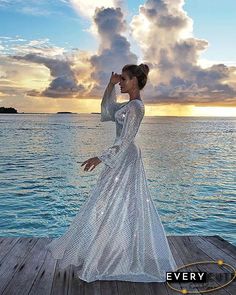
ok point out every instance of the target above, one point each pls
(26, 269)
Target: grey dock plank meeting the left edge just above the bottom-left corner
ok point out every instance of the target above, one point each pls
(13, 260)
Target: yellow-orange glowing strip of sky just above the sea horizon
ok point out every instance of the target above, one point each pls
(88, 105)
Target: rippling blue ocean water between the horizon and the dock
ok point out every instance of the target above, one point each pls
(190, 164)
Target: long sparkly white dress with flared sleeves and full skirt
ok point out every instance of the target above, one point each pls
(117, 233)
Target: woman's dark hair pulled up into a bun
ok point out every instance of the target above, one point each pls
(139, 71)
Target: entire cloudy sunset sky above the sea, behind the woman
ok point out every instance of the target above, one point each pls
(58, 55)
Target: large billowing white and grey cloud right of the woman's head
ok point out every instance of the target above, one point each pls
(164, 33)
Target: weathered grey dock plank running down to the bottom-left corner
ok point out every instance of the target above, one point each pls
(27, 271)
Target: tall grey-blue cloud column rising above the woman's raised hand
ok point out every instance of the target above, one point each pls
(109, 27)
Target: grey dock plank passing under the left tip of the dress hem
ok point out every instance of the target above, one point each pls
(44, 279)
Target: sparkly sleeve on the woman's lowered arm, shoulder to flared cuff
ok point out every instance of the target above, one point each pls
(132, 121)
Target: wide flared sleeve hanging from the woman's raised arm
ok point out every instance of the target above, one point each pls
(109, 104)
